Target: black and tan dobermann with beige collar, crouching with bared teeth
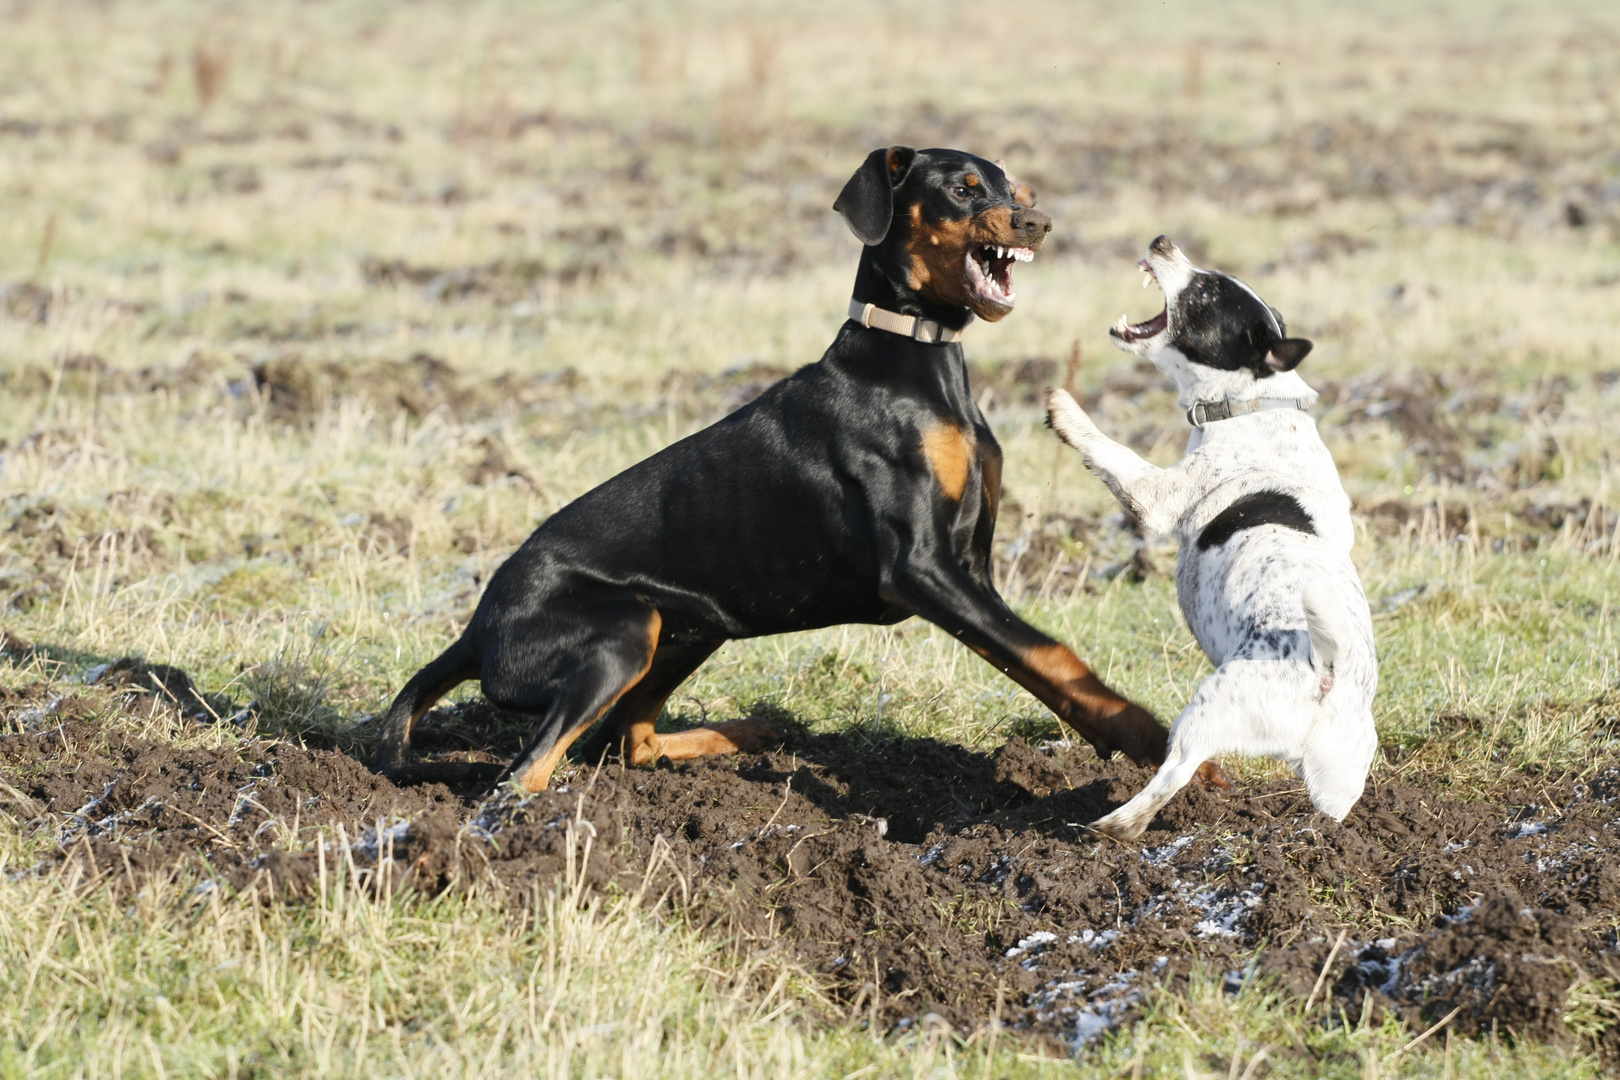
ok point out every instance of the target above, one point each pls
(861, 490)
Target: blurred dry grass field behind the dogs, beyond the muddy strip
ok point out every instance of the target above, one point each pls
(312, 312)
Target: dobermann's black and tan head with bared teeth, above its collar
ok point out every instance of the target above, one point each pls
(942, 231)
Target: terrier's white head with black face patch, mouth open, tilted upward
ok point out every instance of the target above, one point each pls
(1216, 338)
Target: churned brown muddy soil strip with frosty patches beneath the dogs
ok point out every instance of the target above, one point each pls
(913, 877)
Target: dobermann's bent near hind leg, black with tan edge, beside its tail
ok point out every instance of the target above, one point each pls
(574, 689)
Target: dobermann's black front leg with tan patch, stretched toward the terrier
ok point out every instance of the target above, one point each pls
(944, 593)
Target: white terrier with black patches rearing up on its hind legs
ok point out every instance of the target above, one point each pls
(1264, 572)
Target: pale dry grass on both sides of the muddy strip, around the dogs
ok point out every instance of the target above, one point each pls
(309, 313)
